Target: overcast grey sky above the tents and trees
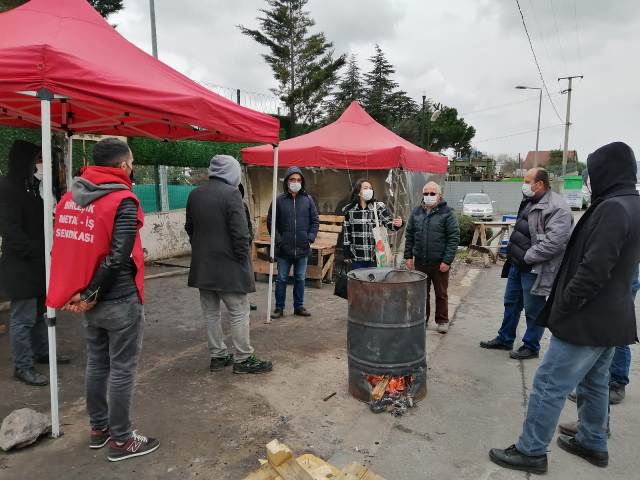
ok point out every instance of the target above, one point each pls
(468, 54)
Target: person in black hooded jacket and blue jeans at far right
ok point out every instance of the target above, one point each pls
(589, 312)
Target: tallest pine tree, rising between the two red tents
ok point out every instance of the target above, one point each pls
(302, 63)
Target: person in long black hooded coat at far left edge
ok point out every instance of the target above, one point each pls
(22, 265)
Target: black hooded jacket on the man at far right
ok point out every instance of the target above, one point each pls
(591, 303)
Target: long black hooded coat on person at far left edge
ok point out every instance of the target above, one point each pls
(22, 268)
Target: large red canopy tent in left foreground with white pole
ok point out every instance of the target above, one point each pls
(62, 66)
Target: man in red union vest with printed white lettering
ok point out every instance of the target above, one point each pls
(97, 268)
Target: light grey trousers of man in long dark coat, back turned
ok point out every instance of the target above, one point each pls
(238, 306)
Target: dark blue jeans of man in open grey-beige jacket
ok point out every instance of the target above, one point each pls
(517, 296)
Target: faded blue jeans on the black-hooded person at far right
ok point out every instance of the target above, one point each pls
(564, 367)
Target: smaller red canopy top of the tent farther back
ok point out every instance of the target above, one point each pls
(356, 142)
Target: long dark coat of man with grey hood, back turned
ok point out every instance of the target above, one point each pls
(220, 240)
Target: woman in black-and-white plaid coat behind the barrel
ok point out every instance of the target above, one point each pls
(359, 220)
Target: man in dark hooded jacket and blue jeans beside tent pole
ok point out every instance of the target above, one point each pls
(297, 225)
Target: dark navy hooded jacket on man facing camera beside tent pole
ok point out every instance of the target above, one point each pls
(297, 221)
